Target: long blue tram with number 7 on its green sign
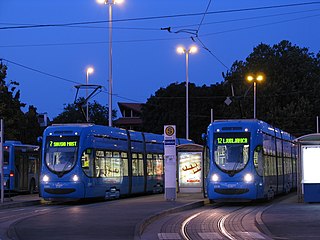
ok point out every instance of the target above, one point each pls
(87, 161)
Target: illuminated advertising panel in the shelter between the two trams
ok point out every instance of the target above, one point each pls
(190, 169)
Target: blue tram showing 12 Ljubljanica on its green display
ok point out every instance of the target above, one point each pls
(248, 160)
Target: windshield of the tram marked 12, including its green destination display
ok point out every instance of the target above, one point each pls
(231, 151)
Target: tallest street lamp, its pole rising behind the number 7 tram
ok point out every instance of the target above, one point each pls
(110, 3)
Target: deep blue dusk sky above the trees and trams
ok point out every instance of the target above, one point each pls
(49, 61)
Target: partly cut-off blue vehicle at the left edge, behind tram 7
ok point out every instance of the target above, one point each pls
(21, 167)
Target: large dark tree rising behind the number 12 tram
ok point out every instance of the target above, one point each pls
(289, 96)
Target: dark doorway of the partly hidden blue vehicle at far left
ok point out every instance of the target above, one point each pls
(21, 169)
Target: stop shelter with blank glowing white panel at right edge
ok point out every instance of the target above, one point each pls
(308, 168)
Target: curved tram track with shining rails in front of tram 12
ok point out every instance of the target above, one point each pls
(221, 221)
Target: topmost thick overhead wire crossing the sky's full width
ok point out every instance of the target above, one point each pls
(158, 17)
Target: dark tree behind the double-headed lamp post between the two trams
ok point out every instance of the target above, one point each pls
(167, 106)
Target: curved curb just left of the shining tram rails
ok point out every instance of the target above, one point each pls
(141, 226)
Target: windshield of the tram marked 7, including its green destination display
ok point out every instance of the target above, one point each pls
(61, 153)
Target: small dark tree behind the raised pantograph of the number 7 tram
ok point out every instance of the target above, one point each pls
(72, 113)
